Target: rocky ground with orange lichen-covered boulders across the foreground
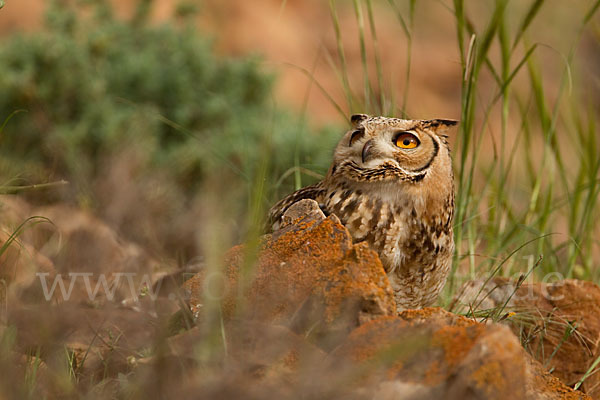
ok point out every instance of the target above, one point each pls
(313, 317)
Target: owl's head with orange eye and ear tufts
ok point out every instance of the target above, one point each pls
(392, 149)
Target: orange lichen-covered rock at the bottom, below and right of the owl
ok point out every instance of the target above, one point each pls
(431, 353)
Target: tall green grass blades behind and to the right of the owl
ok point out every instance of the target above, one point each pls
(526, 154)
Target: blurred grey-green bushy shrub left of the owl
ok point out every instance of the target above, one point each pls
(97, 86)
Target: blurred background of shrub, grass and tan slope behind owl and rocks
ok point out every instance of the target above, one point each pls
(178, 123)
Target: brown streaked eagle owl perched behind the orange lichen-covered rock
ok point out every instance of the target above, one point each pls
(391, 184)
